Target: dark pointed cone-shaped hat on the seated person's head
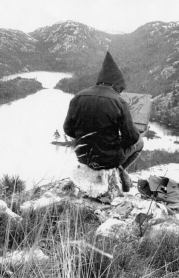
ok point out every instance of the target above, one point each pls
(111, 74)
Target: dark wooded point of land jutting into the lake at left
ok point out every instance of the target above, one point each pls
(18, 88)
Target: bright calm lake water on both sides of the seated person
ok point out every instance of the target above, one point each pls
(27, 127)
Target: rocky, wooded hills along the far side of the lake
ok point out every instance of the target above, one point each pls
(148, 57)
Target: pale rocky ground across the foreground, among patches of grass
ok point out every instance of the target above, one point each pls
(114, 212)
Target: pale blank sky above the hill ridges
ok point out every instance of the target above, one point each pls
(106, 15)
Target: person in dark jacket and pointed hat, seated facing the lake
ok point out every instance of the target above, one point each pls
(101, 123)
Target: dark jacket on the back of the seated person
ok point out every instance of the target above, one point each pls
(102, 126)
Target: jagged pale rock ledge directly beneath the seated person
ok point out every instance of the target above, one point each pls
(127, 211)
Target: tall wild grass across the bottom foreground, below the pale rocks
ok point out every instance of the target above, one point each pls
(66, 233)
